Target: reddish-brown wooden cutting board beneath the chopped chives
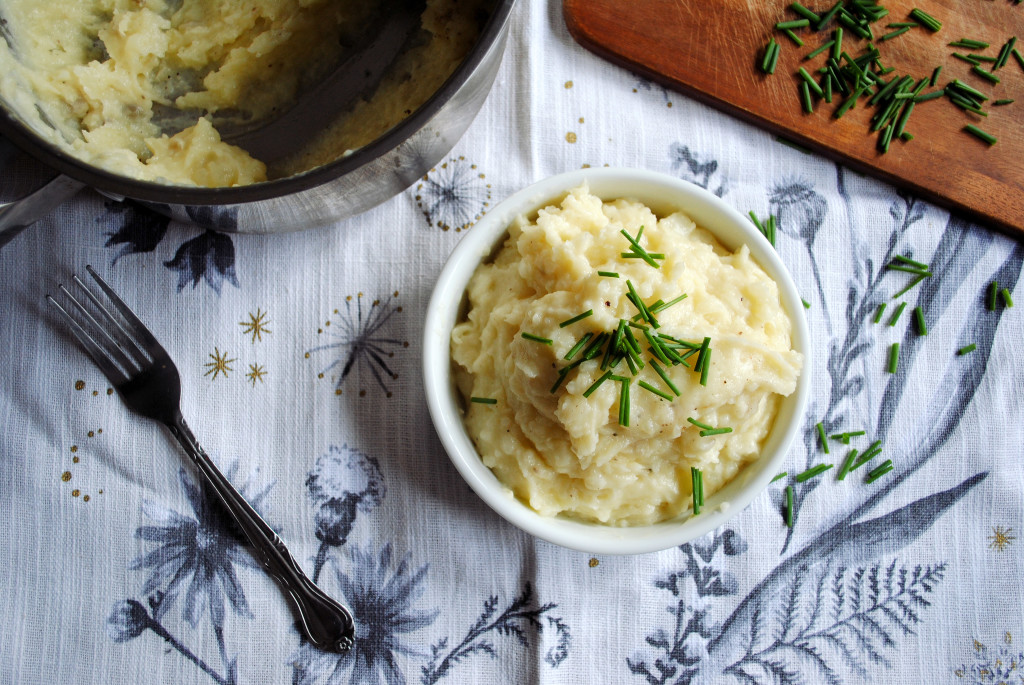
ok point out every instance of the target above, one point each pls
(711, 51)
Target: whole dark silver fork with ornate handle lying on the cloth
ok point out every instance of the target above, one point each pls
(147, 379)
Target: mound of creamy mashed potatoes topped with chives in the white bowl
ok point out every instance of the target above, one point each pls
(567, 448)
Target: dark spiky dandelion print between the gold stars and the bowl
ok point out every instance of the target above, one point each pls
(359, 340)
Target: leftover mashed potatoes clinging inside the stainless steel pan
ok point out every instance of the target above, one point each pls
(100, 78)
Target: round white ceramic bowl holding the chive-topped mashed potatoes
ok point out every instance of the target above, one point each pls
(663, 194)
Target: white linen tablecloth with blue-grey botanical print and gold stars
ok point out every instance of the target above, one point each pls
(301, 358)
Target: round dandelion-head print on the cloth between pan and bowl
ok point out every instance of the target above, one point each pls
(453, 196)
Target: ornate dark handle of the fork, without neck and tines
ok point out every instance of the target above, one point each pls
(326, 624)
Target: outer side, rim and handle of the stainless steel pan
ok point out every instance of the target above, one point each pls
(339, 190)
